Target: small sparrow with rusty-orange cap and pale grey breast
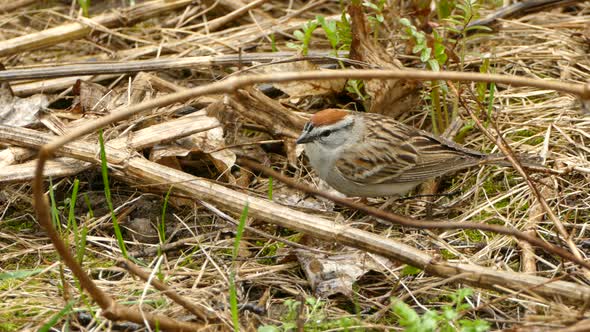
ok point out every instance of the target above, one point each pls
(366, 154)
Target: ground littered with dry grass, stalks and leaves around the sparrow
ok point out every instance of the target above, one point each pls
(173, 200)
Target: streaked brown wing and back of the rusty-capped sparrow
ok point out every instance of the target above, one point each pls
(402, 154)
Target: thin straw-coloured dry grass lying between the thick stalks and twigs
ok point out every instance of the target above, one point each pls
(542, 45)
